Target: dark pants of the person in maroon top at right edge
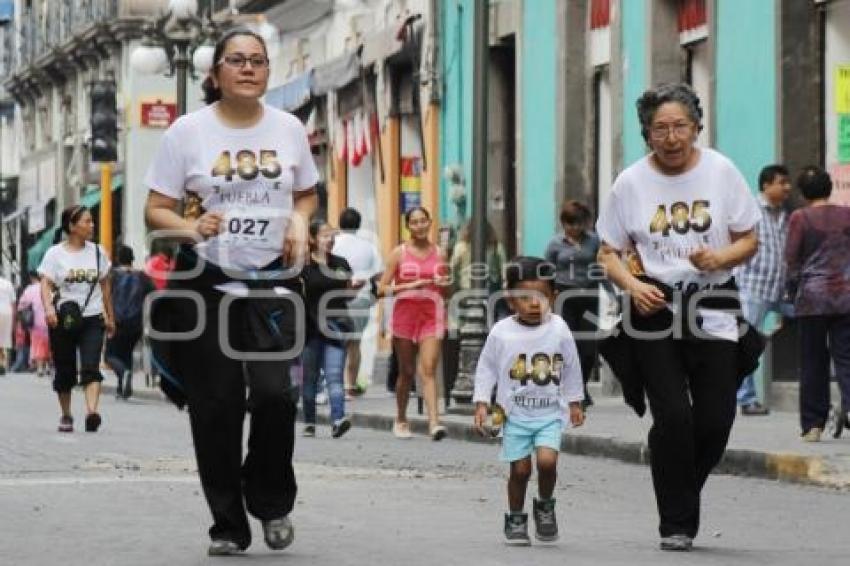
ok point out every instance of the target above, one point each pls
(820, 337)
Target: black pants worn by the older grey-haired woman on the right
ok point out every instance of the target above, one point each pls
(691, 386)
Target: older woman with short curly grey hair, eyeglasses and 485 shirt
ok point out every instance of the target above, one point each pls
(688, 214)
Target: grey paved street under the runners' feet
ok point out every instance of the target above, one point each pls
(129, 495)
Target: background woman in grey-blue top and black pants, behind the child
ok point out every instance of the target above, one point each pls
(573, 252)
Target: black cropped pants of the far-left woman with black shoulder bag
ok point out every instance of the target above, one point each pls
(64, 344)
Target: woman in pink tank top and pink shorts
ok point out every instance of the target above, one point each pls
(416, 276)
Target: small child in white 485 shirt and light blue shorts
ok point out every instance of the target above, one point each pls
(532, 360)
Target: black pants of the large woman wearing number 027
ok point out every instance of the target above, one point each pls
(264, 482)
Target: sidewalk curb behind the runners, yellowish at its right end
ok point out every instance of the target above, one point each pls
(785, 467)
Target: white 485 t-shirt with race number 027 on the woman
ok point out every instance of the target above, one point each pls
(249, 174)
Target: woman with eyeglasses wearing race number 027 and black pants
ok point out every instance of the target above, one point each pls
(244, 173)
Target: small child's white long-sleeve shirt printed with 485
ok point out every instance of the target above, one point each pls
(535, 369)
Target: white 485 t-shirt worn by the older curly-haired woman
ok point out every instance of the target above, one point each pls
(668, 217)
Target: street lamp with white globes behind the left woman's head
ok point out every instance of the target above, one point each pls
(178, 41)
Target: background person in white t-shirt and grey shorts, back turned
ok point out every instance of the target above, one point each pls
(365, 261)
